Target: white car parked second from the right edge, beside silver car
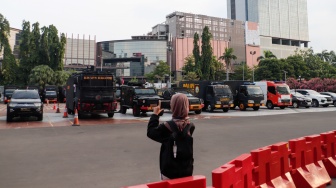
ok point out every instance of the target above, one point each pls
(317, 98)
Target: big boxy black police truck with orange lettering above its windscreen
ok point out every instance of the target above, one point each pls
(91, 92)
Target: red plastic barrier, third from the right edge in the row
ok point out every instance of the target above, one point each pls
(271, 166)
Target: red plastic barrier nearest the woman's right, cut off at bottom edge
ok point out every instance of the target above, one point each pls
(234, 174)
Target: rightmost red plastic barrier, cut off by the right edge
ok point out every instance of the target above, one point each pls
(329, 152)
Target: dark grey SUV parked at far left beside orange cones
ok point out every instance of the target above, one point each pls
(25, 103)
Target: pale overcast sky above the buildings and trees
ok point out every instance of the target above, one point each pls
(121, 19)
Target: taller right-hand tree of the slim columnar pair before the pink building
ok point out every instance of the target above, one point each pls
(206, 56)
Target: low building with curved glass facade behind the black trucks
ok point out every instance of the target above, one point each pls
(129, 58)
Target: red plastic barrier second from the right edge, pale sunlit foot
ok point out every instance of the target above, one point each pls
(308, 169)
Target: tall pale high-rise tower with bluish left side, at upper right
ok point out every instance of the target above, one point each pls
(283, 24)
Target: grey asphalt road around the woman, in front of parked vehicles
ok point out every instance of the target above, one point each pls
(120, 154)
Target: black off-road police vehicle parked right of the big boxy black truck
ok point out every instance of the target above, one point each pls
(138, 98)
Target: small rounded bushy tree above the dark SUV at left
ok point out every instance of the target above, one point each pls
(42, 75)
